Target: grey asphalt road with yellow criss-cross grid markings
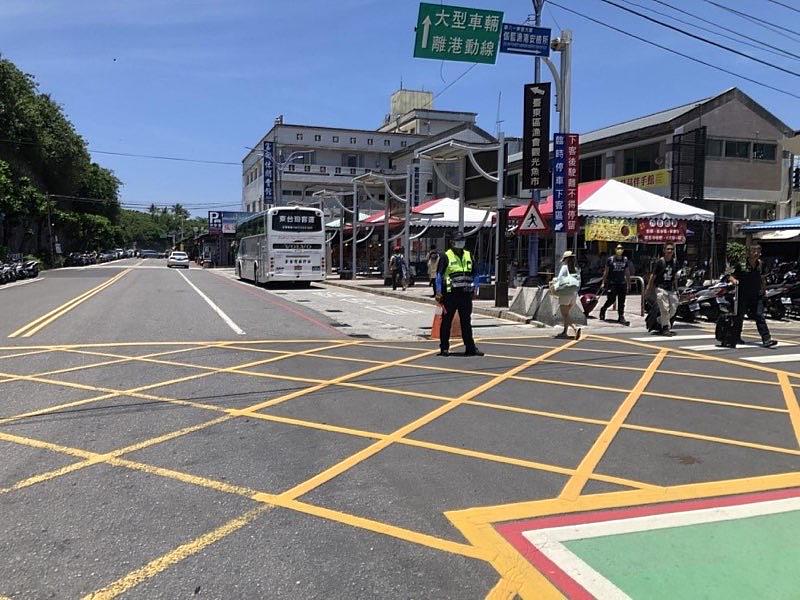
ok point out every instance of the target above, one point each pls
(183, 435)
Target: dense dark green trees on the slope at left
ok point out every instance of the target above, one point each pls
(46, 171)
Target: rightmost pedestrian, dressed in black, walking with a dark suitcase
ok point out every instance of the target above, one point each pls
(749, 276)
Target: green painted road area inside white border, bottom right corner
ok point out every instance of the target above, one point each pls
(755, 557)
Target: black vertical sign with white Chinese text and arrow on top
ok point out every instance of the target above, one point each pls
(536, 137)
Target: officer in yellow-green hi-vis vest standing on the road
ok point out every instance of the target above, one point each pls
(454, 285)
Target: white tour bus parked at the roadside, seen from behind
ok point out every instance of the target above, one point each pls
(282, 244)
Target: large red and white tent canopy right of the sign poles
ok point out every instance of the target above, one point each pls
(610, 198)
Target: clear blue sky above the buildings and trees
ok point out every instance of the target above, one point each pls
(205, 78)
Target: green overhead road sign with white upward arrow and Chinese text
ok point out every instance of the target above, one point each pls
(458, 33)
